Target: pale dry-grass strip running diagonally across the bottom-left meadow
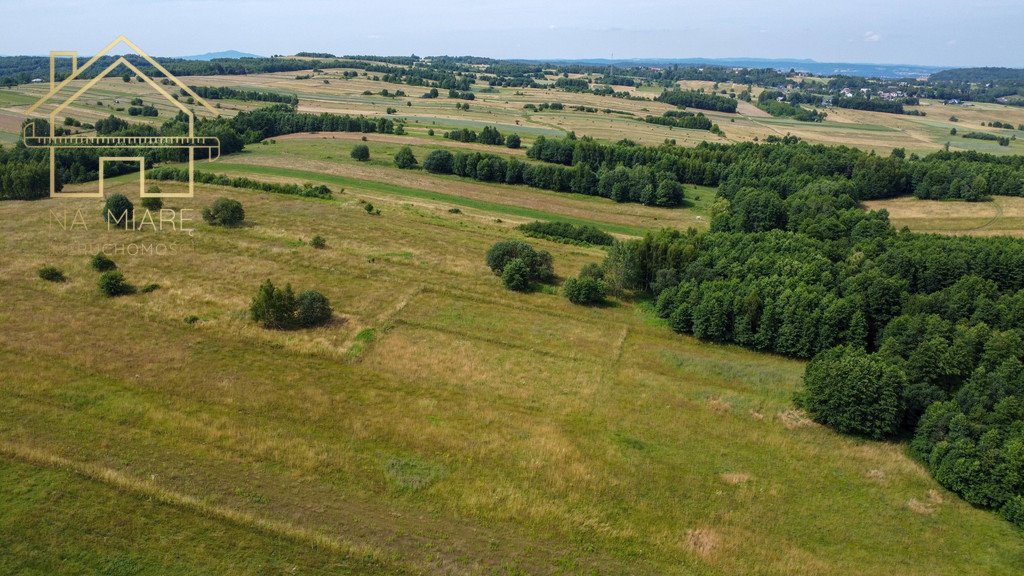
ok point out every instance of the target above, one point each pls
(140, 487)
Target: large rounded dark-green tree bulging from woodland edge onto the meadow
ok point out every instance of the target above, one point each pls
(856, 393)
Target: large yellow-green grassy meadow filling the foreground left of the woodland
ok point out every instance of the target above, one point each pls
(439, 425)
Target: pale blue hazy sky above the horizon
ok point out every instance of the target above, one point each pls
(948, 33)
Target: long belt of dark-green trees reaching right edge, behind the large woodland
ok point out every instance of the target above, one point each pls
(786, 166)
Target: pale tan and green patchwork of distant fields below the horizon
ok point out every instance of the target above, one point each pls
(615, 119)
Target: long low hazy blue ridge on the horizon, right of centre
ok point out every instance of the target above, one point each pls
(809, 66)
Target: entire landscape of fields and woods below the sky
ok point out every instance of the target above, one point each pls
(709, 360)
